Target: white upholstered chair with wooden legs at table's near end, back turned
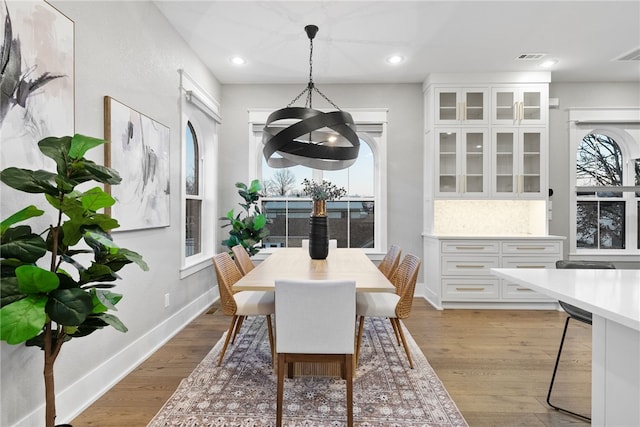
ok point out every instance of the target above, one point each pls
(315, 324)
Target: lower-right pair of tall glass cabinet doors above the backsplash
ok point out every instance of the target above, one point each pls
(518, 163)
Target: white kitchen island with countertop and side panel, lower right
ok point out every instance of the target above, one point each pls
(613, 298)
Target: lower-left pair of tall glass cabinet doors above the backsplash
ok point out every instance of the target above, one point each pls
(462, 165)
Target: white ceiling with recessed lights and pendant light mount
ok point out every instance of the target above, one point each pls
(355, 37)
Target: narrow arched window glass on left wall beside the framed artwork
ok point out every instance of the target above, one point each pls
(193, 196)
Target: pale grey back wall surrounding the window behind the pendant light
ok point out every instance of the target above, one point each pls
(404, 149)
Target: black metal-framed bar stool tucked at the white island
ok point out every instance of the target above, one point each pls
(575, 313)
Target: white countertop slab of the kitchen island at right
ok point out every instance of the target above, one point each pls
(612, 294)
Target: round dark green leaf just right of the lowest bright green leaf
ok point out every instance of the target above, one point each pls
(69, 307)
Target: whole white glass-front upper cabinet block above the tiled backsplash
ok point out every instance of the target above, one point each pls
(486, 139)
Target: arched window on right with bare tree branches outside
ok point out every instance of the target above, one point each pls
(607, 200)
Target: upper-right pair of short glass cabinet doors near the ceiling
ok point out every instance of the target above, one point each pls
(519, 105)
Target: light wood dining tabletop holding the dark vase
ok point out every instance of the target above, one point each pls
(295, 263)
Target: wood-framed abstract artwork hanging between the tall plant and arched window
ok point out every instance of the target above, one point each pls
(139, 151)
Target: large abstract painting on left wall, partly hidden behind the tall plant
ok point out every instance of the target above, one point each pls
(36, 80)
